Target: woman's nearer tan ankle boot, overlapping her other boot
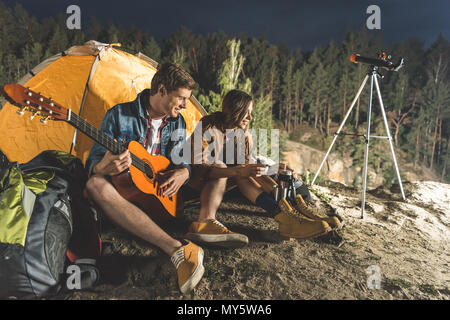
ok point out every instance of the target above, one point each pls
(292, 224)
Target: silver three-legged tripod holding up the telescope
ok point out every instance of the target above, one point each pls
(372, 74)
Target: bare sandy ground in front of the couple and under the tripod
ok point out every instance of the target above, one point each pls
(398, 251)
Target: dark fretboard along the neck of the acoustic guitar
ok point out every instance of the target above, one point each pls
(107, 142)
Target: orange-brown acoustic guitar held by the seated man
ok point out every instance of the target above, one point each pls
(138, 184)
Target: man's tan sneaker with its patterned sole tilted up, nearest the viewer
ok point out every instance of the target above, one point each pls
(188, 261)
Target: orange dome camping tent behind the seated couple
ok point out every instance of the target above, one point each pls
(87, 79)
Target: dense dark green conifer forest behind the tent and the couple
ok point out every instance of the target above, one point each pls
(292, 89)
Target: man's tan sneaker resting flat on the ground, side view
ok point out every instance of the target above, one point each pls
(214, 233)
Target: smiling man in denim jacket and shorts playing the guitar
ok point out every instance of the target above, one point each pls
(150, 119)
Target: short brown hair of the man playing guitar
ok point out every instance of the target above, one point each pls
(172, 76)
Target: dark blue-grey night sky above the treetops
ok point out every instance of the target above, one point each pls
(300, 24)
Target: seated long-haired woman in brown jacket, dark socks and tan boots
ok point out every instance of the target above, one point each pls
(226, 131)
